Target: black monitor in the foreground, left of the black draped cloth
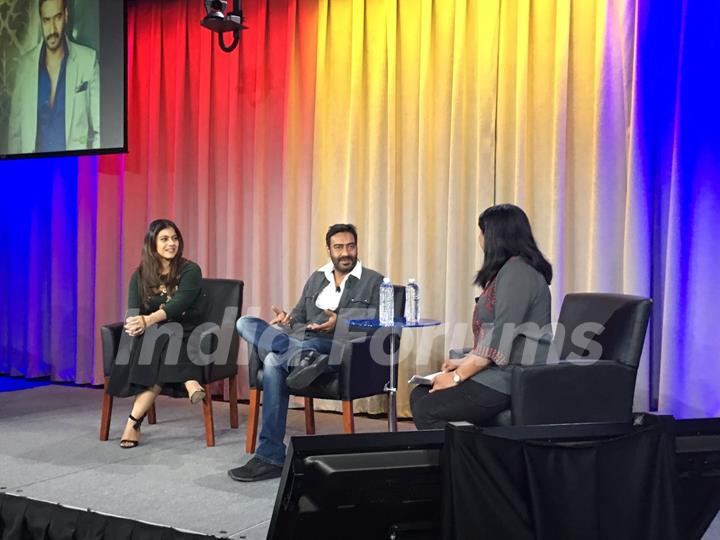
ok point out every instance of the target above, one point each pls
(369, 485)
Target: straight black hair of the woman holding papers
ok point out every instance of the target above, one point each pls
(508, 234)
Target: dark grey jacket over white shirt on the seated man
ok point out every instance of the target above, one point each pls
(360, 300)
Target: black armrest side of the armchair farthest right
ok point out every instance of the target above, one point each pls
(572, 392)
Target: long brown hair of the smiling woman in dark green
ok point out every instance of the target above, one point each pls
(150, 276)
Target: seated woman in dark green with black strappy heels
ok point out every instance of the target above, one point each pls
(164, 307)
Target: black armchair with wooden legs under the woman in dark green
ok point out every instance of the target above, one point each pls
(223, 305)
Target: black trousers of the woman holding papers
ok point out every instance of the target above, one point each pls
(469, 401)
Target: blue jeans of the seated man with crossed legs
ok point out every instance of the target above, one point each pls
(275, 348)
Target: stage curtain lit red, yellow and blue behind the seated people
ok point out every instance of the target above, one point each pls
(406, 118)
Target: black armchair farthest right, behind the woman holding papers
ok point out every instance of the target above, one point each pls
(588, 383)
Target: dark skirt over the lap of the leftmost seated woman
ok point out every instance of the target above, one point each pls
(157, 357)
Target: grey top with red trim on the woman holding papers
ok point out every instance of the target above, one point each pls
(511, 323)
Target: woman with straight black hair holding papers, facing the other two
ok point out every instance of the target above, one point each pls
(511, 325)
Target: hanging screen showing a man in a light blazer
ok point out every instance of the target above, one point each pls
(62, 77)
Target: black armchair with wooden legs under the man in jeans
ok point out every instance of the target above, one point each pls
(359, 375)
